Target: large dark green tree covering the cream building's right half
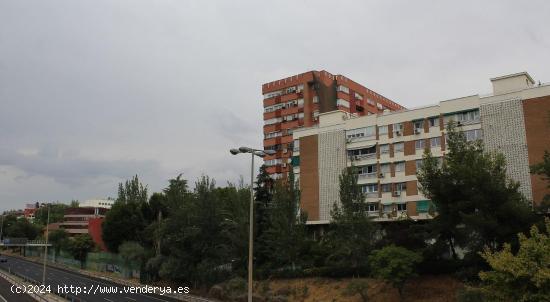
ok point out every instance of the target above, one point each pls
(477, 204)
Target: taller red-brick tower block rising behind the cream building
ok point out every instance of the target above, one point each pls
(297, 101)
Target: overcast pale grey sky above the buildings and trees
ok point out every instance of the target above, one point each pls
(93, 92)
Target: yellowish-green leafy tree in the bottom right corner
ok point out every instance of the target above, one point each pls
(523, 276)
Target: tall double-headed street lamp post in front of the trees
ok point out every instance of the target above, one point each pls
(259, 153)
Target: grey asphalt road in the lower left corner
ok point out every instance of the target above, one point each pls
(57, 277)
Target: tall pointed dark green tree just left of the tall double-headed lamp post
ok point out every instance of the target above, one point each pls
(194, 236)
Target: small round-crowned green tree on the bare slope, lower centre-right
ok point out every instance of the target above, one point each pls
(394, 265)
